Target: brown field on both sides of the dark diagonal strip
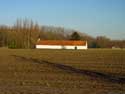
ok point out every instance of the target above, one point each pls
(25, 76)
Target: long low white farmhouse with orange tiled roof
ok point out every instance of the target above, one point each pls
(61, 44)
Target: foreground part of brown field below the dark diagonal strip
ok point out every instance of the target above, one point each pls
(28, 76)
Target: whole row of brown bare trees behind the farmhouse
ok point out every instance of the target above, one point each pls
(25, 33)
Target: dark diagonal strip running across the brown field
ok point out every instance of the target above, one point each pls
(92, 74)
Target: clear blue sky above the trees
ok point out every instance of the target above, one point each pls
(93, 17)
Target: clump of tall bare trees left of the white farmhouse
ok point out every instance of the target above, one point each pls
(26, 33)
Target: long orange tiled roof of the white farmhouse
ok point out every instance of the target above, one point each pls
(61, 42)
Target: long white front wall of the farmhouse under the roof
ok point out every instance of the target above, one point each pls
(59, 47)
